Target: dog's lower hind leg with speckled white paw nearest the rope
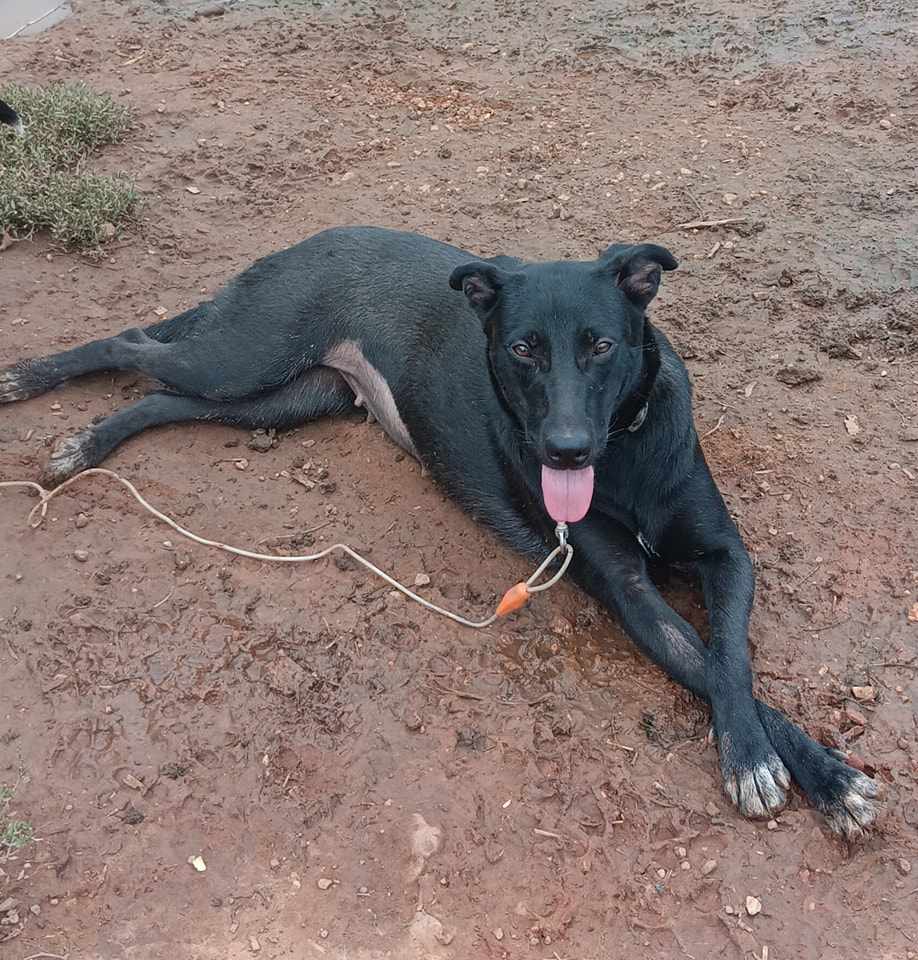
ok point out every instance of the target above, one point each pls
(316, 393)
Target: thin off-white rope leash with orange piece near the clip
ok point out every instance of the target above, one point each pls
(515, 597)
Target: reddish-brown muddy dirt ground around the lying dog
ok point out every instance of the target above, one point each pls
(363, 779)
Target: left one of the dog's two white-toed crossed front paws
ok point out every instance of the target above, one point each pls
(755, 779)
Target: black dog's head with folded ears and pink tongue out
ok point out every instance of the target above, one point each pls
(566, 347)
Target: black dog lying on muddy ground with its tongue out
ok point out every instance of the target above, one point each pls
(538, 392)
